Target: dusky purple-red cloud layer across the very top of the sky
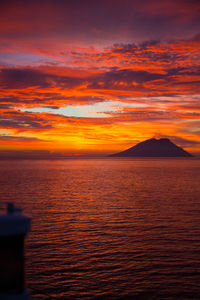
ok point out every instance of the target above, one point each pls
(103, 20)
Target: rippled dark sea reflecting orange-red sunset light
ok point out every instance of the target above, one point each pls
(109, 228)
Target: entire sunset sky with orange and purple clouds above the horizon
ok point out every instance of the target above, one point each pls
(96, 77)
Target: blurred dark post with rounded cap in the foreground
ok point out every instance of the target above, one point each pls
(13, 228)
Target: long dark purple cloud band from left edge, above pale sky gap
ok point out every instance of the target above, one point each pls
(24, 78)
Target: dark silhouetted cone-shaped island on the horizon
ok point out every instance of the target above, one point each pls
(154, 148)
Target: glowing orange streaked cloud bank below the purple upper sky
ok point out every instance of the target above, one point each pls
(159, 79)
